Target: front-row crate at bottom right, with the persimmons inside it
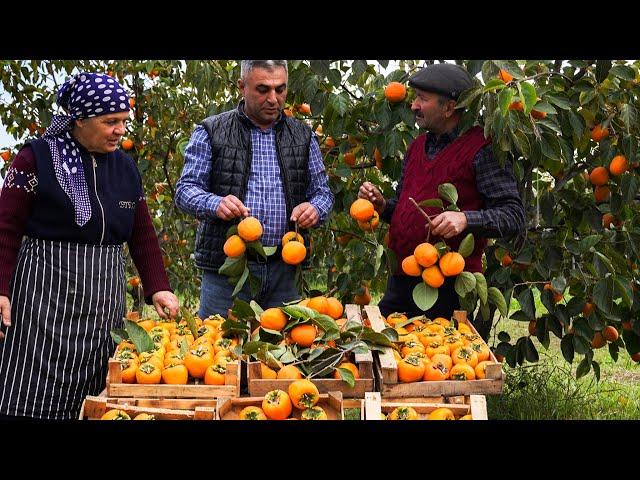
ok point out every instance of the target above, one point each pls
(473, 407)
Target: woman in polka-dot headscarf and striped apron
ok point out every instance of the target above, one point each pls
(76, 198)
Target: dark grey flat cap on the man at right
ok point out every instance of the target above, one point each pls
(444, 78)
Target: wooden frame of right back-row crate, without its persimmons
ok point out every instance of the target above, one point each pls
(386, 370)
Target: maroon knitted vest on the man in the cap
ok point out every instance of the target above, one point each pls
(453, 164)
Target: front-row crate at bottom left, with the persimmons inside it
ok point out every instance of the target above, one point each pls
(102, 407)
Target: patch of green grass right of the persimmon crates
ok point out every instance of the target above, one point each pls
(548, 389)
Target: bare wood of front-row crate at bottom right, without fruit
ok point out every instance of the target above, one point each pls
(374, 405)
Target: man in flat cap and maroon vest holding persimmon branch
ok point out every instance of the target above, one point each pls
(488, 197)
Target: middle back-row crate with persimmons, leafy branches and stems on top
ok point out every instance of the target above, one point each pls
(316, 338)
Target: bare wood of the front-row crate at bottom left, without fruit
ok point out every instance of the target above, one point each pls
(94, 407)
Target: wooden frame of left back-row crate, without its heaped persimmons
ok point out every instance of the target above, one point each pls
(116, 388)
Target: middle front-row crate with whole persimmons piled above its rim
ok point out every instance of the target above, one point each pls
(301, 400)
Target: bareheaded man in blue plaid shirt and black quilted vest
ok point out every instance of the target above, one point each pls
(253, 161)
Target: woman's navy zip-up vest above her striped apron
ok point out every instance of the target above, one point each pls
(119, 188)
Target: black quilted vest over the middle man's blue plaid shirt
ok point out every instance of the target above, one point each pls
(230, 137)
